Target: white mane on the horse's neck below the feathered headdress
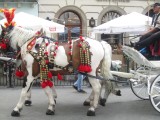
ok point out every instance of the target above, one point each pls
(19, 36)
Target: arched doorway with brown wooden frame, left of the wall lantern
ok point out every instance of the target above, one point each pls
(73, 26)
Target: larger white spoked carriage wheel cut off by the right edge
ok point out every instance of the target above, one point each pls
(155, 93)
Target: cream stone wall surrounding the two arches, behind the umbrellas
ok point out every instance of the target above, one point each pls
(90, 8)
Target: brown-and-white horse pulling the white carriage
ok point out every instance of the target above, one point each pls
(100, 59)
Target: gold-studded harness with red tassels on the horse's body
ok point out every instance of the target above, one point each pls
(46, 62)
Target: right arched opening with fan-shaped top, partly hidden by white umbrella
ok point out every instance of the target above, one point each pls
(112, 39)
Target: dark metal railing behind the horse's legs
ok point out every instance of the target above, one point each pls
(8, 78)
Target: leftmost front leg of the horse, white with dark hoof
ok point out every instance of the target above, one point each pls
(25, 89)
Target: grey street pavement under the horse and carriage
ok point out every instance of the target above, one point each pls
(70, 106)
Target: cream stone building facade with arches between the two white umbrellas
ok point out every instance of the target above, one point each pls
(77, 14)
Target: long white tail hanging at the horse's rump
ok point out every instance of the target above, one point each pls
(106, 63)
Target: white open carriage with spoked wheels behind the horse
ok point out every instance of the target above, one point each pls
(145, 81)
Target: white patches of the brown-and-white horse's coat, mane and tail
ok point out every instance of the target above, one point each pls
(100, 51)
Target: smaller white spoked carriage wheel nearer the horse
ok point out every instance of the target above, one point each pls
(140, 86)
